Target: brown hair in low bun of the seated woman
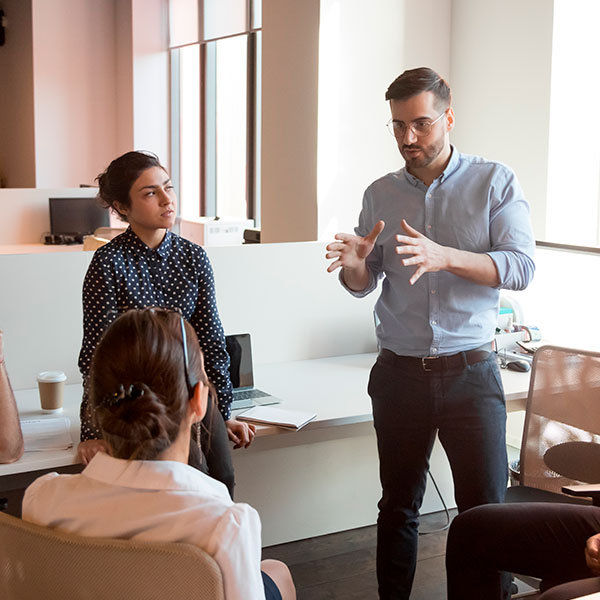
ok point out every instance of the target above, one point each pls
(138, 385)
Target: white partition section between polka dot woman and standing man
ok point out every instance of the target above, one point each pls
(283, 295)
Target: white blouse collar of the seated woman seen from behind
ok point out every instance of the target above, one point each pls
(152, 475)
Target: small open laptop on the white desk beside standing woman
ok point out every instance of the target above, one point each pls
(245, 395)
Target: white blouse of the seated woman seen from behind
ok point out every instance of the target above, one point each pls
(158, 501)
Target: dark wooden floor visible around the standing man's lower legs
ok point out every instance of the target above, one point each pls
(342, 565)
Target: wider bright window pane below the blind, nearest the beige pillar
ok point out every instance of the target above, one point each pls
(231, 126)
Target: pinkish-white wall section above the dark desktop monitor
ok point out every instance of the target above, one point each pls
(74, 66)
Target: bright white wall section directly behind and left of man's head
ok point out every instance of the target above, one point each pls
(363, 47)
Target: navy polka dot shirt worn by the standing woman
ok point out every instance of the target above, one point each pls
(125, 274)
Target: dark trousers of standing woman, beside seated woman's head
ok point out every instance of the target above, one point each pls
(215, 457)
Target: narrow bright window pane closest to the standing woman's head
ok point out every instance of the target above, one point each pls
(189, 131)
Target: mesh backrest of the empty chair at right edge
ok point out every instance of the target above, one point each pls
(563, 406)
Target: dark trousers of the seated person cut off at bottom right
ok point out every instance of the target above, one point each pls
(544, 540)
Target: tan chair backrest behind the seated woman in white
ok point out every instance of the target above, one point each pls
(39, 562)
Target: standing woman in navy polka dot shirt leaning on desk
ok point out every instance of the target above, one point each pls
(148, 265)
